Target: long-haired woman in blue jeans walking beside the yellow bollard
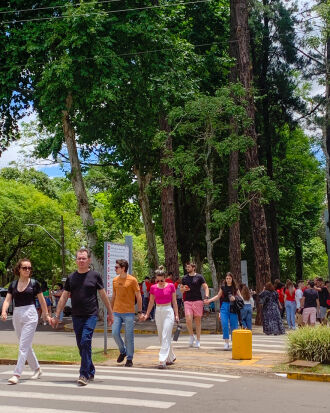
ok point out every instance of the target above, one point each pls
(227, 293)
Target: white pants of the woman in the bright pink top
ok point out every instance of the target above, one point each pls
(164, 321)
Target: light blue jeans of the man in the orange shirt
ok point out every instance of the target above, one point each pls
(127, 347)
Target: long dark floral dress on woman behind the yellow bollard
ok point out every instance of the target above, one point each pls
(272, 321)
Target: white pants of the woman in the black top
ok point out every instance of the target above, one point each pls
(25, 321)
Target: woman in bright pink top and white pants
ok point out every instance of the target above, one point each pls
(163, 294)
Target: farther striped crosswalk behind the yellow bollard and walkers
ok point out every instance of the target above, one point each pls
(260, 343)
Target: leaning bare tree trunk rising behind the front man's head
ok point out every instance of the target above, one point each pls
(79, 186)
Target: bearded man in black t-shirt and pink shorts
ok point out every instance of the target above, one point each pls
(193, 302)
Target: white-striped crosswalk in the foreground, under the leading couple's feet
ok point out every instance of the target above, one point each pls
(114, 387)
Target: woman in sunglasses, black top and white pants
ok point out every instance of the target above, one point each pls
(25, 317)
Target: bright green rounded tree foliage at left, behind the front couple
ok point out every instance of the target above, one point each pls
(22, 204)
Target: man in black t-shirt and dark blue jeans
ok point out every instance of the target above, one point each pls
(83, 285)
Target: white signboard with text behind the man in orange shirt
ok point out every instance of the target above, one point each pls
(113, 252)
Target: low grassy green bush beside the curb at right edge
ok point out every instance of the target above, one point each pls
(310, 343)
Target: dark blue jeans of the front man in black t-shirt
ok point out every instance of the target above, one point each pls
(84, 329)
